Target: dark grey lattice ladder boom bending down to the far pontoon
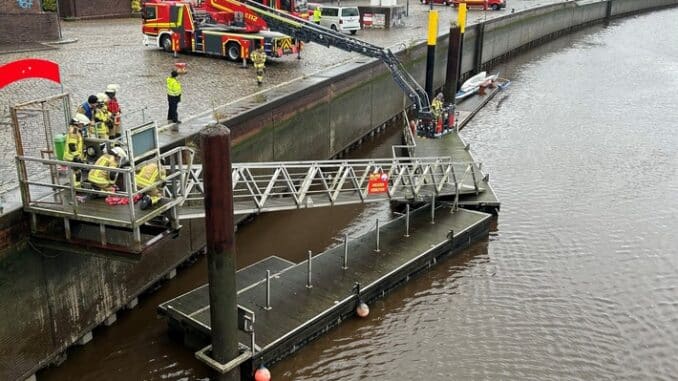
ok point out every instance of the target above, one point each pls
(308, 31)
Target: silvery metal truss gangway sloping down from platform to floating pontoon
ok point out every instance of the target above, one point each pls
(276, 186)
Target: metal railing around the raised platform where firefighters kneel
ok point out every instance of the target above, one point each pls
(60, 195)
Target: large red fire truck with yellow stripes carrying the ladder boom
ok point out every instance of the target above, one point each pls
(226, 28)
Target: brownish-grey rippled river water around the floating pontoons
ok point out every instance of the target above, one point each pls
(579, 278)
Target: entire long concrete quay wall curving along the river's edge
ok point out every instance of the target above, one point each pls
(50, 300)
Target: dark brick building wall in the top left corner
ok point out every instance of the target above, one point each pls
(27, 23)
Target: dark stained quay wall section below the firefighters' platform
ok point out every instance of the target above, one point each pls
(52, 300)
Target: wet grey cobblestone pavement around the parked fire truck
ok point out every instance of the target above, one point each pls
(110, 51)
